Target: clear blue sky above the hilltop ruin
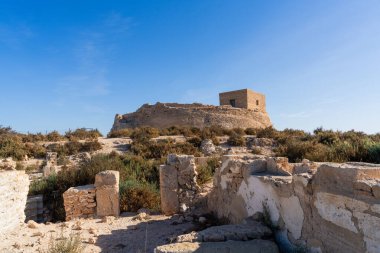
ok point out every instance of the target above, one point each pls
(68, 64)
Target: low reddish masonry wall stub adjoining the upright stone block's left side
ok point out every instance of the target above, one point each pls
(79, 202)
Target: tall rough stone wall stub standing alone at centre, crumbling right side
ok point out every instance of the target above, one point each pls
(178, 186)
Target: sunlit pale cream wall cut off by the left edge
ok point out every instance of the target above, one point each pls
(14, 187)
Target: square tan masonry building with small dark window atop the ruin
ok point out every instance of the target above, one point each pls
(245, 98)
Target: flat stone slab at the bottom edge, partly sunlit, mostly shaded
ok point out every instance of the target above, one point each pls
(254, 246)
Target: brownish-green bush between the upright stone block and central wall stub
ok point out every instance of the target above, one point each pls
(135, 195)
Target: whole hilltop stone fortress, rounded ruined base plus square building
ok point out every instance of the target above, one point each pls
(241, 108)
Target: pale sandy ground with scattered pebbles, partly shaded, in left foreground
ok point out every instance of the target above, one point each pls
(123, 234)
